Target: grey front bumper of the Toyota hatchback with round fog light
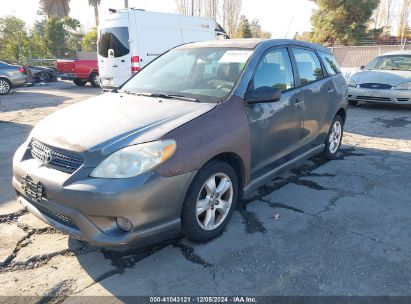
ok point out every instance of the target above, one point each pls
(86, 208)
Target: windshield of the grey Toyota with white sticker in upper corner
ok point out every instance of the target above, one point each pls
(206, 74)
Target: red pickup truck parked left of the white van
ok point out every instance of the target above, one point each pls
(80, 71)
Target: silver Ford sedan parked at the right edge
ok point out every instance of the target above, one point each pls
(386, 79)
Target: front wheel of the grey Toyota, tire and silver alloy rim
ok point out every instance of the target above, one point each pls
(199, 226)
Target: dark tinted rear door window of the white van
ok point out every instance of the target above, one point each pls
(113, 42)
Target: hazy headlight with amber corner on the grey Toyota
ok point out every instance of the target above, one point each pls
(134, 160)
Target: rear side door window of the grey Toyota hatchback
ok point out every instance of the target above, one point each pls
(308, 65)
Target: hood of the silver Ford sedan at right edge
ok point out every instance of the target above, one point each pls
(392, 78)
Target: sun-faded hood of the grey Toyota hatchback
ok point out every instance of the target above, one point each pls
(114, 120)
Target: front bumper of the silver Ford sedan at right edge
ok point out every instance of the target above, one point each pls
(380, 96)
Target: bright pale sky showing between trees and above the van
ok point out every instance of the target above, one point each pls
(276, 16)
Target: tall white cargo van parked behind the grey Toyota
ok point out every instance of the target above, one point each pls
(129, 39)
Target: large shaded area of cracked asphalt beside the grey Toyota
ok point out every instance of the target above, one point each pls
(322, 229)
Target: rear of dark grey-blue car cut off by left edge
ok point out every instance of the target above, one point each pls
(11, 76)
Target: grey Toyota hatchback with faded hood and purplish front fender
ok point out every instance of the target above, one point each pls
(179, 144)
